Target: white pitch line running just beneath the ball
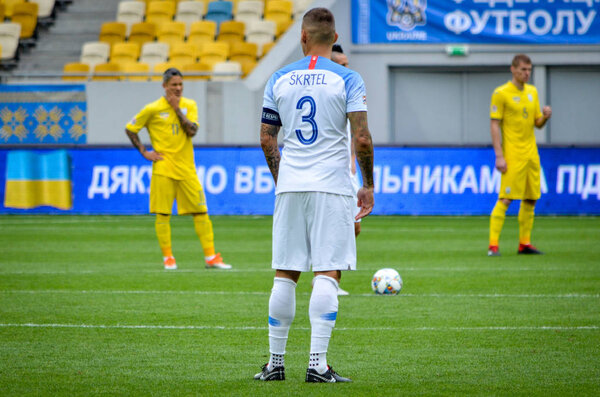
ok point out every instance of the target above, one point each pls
(263, 293)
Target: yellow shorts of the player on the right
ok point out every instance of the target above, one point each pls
(521, 181)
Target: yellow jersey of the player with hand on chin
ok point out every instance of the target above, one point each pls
(168, 138)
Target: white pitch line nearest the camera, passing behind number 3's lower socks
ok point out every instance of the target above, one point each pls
(352, 329)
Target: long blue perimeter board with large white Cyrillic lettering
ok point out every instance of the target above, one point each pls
(408, 181)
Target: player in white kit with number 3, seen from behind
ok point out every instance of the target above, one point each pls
(310, 101)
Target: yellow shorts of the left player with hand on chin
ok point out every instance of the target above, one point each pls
(188, 193)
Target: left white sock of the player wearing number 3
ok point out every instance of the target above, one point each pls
(282, 309)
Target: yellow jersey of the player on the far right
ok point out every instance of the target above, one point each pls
(517, 111)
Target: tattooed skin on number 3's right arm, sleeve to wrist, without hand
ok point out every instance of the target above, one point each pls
(363, 145)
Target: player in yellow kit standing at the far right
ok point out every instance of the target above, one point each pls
(514, 111)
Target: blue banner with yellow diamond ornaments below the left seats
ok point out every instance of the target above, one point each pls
(39, 114)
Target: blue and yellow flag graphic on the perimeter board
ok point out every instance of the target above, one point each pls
(38, 179)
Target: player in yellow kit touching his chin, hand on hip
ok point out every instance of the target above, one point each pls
(171, 122)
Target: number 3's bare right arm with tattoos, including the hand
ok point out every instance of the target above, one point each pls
(363, 146)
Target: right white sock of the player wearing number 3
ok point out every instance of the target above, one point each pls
(322, 311)
